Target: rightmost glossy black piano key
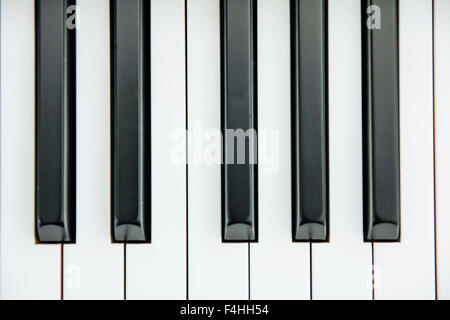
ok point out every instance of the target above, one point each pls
(381, 120)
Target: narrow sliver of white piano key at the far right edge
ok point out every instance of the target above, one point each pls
(442, 85)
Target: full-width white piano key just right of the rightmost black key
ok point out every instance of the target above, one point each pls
(405, 270)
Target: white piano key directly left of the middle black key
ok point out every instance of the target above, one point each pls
(216, 270)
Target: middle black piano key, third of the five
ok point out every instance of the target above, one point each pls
(239, 105)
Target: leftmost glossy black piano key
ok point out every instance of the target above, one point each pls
(55, 123)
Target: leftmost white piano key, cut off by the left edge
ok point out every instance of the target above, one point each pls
(27, 270)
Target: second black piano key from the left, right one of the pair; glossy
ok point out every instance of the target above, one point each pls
(130, 120)
